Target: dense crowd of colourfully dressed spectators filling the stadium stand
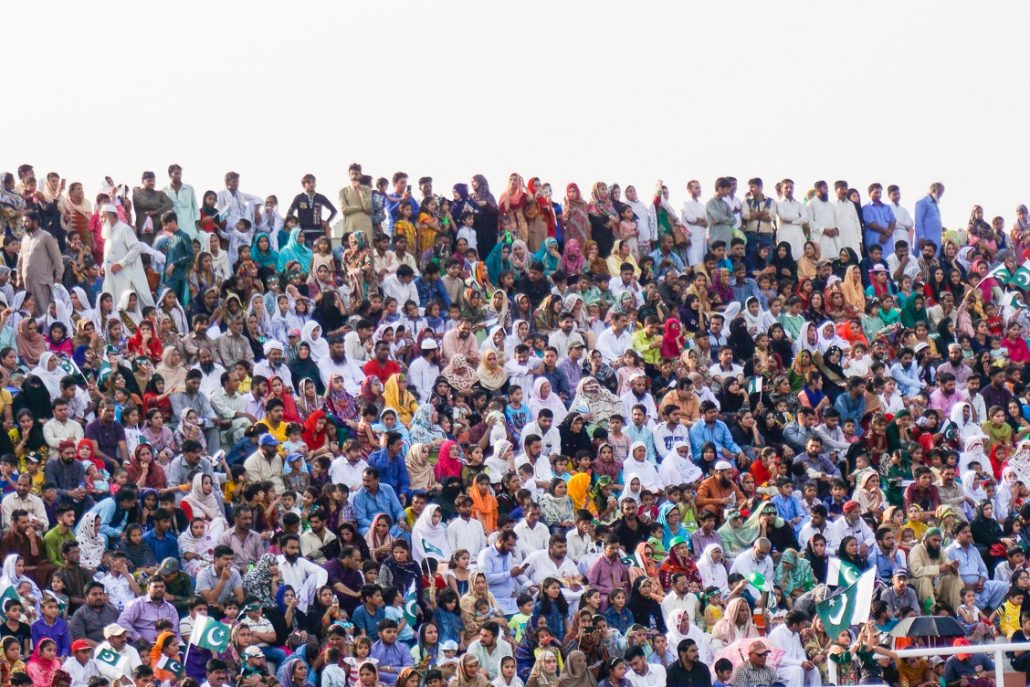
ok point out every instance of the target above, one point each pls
(401, 438)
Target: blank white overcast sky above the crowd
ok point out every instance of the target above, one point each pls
(903, 93)
